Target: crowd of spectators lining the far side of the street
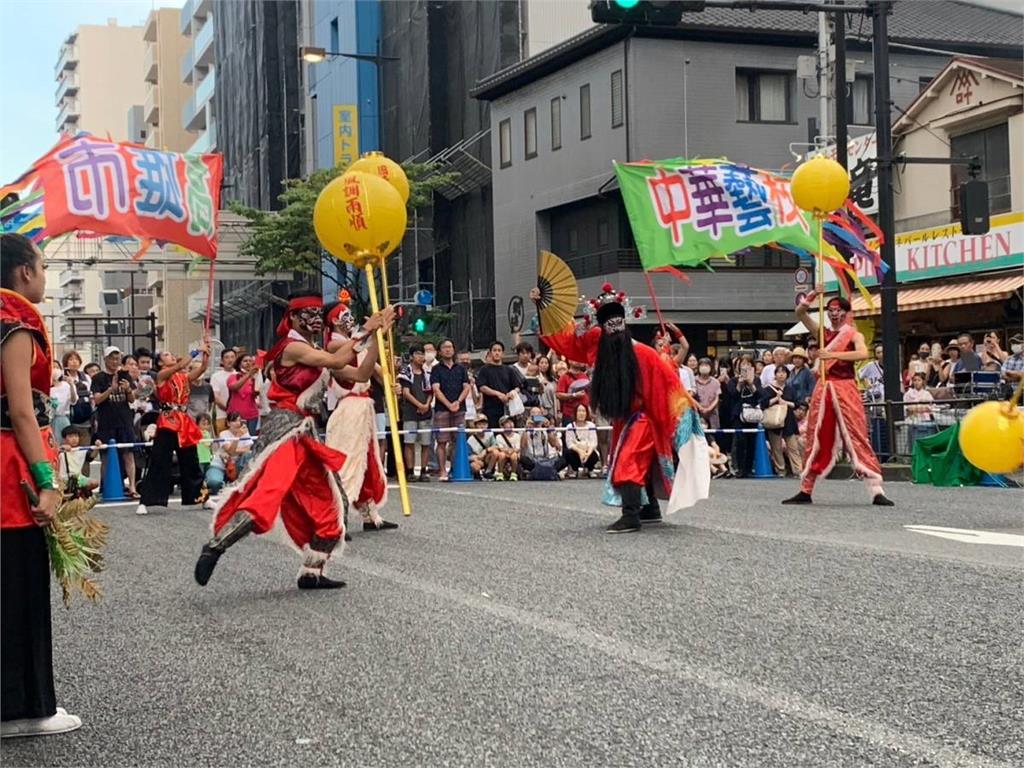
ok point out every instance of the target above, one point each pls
(526, 419)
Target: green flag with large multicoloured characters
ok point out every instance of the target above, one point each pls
(686, 212)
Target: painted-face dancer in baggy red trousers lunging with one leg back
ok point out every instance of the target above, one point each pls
(293, 476)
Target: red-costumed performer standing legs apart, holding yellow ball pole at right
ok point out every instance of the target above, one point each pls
(837, 414)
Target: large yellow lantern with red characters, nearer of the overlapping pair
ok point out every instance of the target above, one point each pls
(360, 219)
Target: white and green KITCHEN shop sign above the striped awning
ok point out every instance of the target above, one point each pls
(946, 251)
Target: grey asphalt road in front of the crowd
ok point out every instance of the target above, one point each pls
(500, 626)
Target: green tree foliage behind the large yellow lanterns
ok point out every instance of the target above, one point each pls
(285, 241)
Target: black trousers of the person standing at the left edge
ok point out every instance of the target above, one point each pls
(26, 646)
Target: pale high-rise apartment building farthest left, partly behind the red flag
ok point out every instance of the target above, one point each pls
(90, 60)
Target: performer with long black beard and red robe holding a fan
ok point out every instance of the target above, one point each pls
(652, 415)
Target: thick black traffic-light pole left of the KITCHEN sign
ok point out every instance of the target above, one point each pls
(887, 212)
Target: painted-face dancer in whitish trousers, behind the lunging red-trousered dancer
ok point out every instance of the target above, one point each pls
(353, 428)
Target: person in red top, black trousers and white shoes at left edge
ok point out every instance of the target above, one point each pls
(28, 455)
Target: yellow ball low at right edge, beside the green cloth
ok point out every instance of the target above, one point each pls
(992, 438)
